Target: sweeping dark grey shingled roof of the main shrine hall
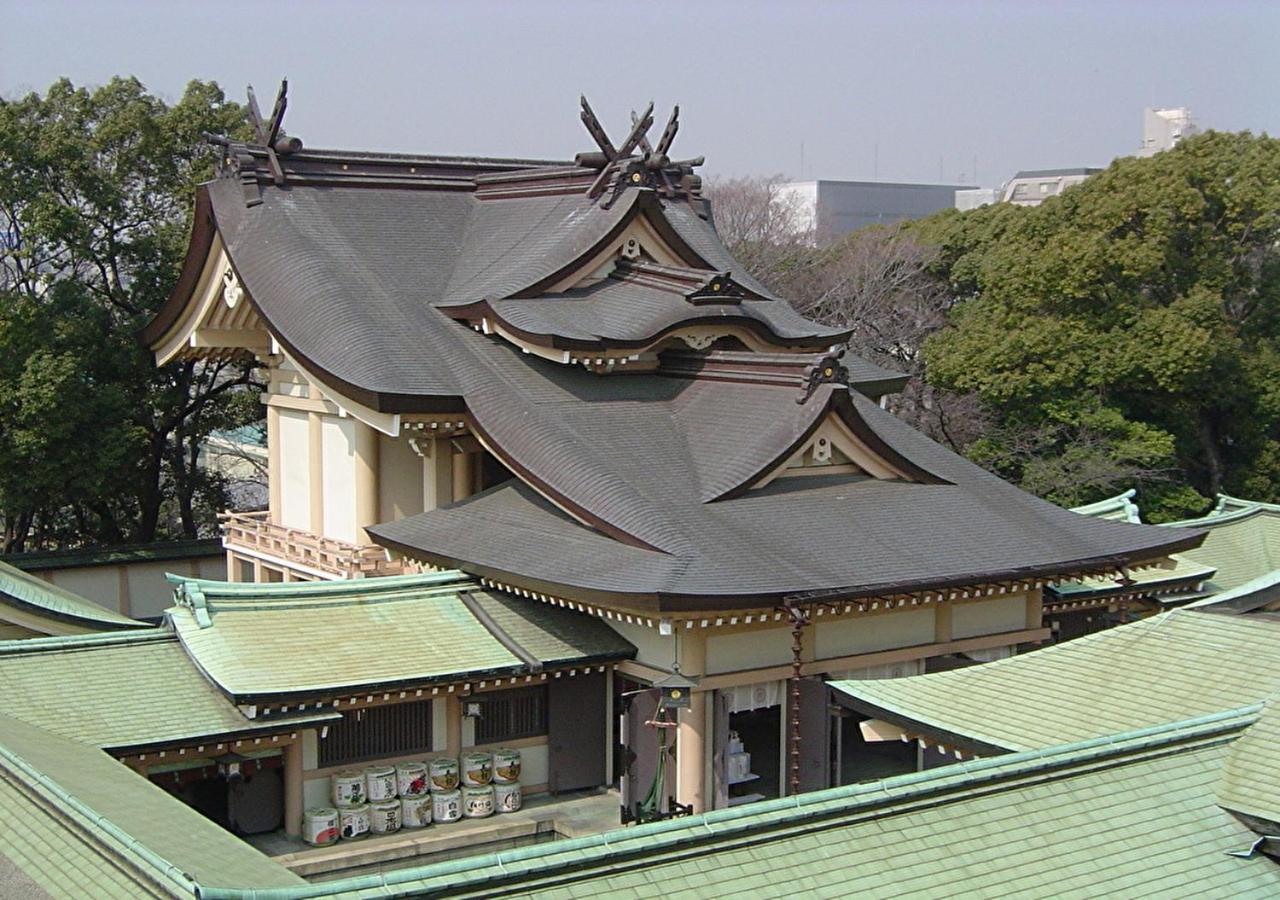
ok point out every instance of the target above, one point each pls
(350, 281)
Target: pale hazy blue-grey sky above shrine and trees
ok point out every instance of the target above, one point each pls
(902, 92)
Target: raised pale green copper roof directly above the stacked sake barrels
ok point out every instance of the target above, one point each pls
(284, 641)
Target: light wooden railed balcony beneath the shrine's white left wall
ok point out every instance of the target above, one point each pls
(305, 551)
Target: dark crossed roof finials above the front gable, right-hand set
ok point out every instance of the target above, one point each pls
(651, 168)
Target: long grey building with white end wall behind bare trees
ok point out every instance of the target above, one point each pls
(831, 209)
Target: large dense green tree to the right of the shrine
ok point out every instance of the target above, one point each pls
(1127, 331)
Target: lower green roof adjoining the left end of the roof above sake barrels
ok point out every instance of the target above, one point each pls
(130, 691)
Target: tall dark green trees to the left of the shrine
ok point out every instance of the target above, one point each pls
(97, 193)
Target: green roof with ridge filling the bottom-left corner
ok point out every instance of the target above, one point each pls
(79, 824)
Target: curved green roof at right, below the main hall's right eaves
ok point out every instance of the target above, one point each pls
(1169, 668)
